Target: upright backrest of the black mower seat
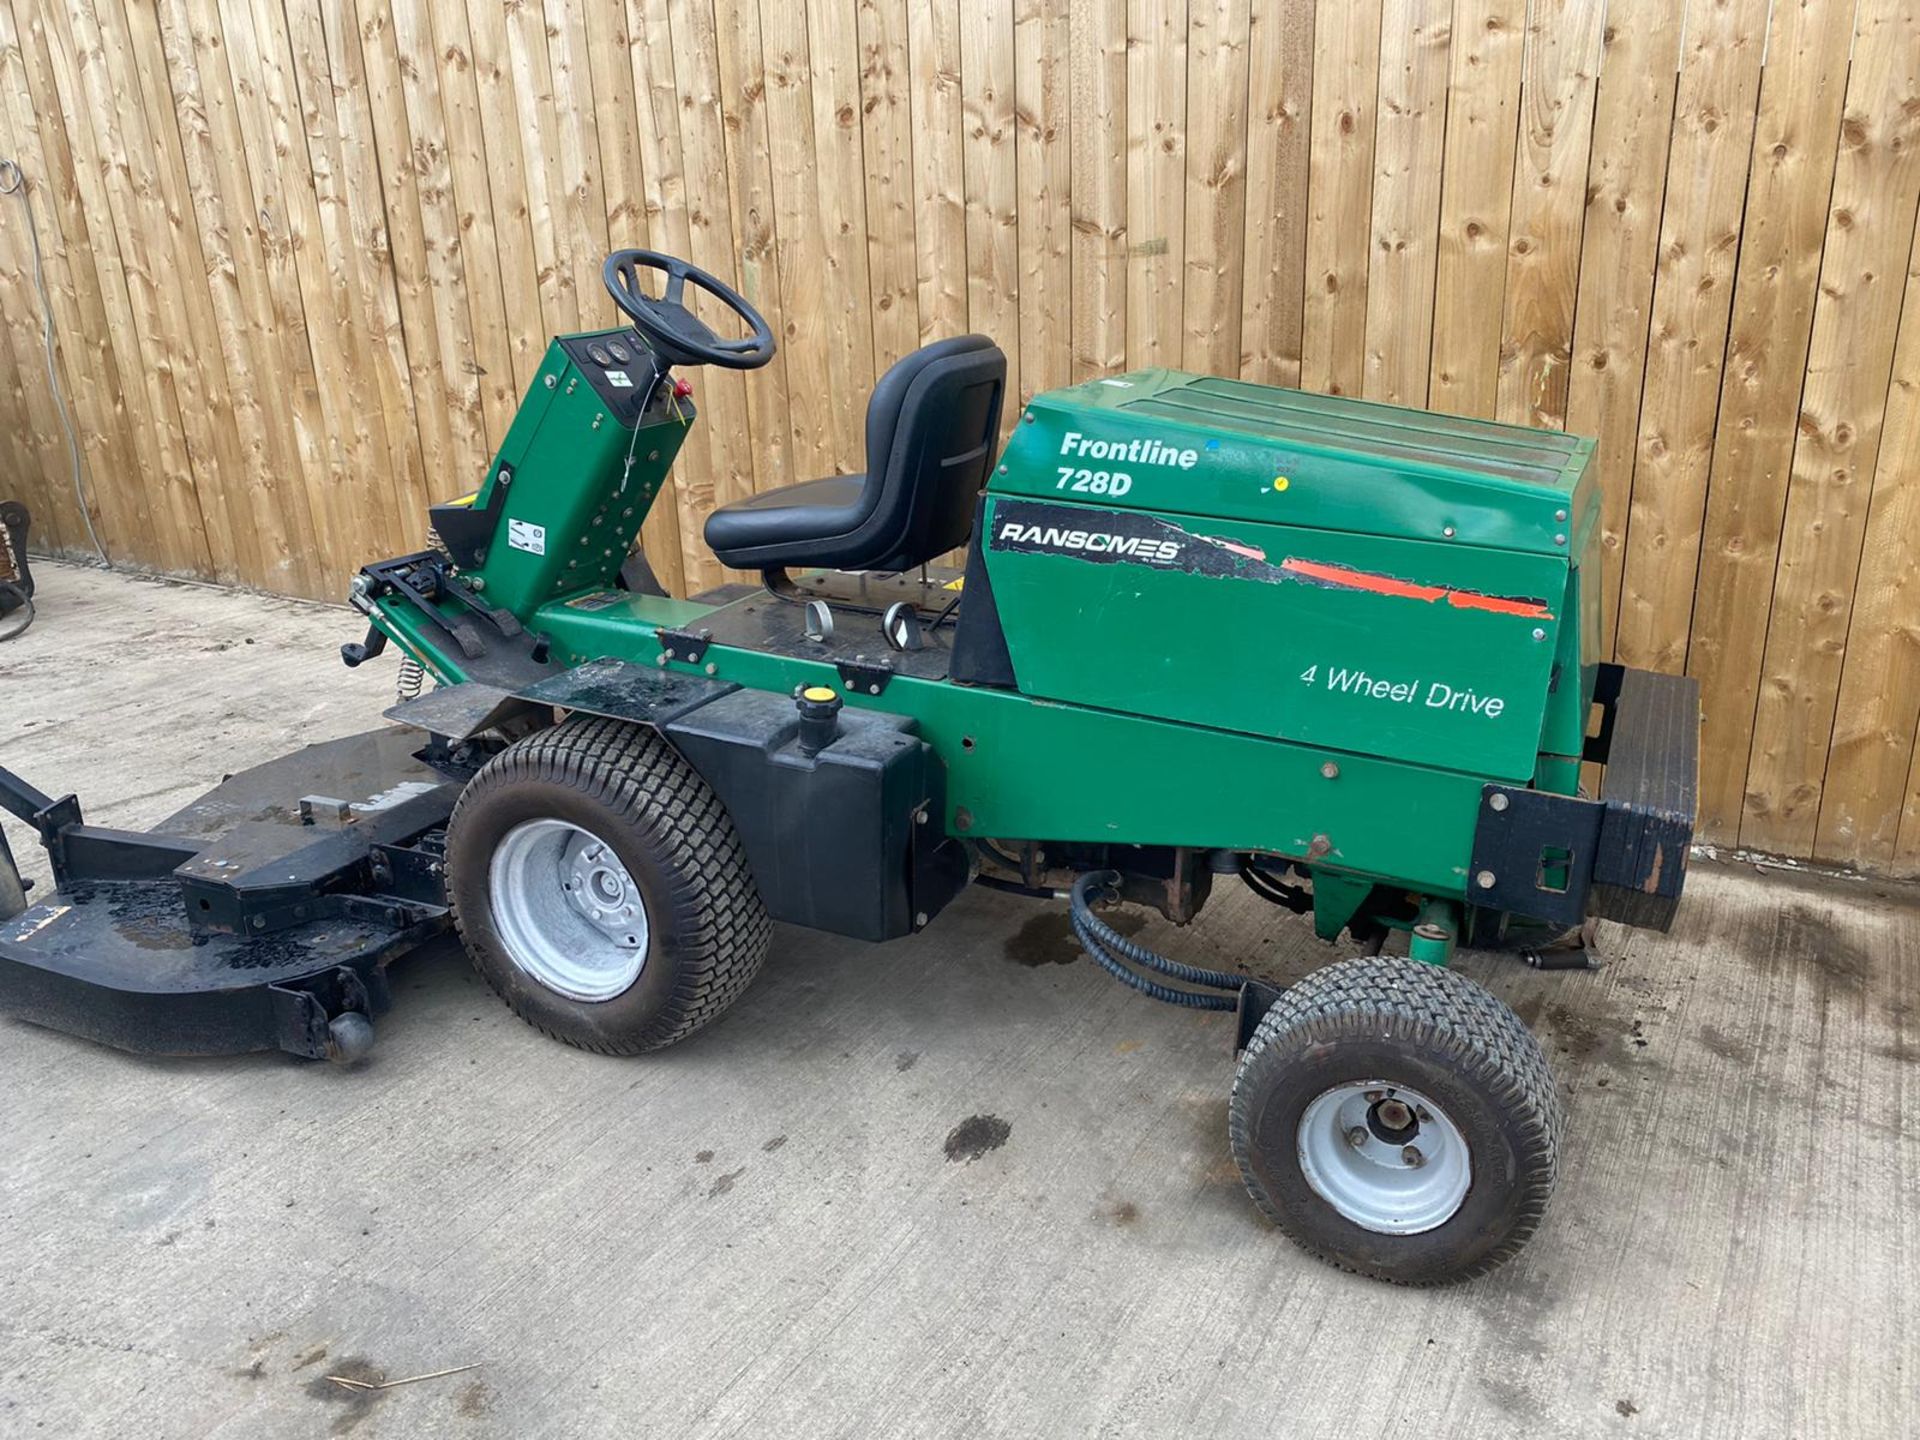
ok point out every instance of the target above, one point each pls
(932, 429)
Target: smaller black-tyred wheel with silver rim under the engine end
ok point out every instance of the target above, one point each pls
(1399, 1122)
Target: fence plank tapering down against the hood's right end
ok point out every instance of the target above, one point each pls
(1625, 193)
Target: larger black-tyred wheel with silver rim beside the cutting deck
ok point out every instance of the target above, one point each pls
(602, 890)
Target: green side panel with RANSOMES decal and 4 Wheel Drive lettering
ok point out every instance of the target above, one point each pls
(1399, 648)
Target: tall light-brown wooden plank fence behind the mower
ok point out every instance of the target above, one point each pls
(304, 254)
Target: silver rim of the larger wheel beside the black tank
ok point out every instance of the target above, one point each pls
(567, 911)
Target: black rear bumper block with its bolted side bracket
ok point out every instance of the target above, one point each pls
(1623, 857)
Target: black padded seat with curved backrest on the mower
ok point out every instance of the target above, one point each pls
(930, 433)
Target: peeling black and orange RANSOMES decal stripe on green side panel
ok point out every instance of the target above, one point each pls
(1026, 527)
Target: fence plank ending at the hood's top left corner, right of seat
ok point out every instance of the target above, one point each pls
(1044, 162)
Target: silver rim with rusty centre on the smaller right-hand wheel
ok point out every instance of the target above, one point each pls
(1385, 1157)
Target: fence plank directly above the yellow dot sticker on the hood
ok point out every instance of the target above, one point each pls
(1280, 110)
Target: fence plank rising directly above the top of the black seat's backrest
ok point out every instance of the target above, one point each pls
(940, 166)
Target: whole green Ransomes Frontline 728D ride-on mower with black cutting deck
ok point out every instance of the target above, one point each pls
(1205, 629)
